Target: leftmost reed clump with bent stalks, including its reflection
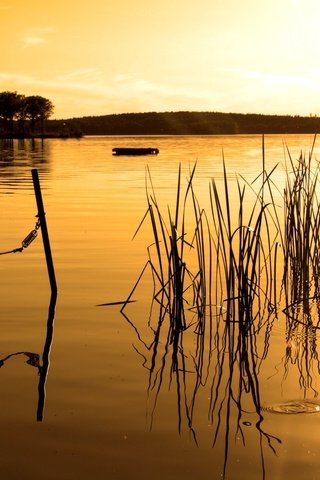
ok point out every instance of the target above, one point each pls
(179, 290)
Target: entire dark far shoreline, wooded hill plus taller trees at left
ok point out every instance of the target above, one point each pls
(28, 116)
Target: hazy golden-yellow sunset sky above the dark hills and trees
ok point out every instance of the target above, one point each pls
(95, 57)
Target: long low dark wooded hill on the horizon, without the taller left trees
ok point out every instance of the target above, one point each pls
(187, 123)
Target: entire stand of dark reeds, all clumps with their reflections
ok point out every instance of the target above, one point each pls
(216, 292)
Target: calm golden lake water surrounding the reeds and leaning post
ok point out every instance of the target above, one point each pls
(91, 391)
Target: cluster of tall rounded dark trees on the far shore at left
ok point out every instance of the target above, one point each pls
(23, 116)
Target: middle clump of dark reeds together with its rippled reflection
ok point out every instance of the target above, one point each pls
(245, 241)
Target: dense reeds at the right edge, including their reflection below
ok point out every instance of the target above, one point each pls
(301, 277)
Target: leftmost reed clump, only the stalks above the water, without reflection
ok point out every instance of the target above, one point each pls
(172, 276)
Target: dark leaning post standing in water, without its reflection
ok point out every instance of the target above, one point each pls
(44, 230)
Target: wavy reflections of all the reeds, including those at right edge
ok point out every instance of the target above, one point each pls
(179, 360)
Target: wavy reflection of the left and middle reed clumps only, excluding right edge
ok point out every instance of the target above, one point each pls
(228, 373)
